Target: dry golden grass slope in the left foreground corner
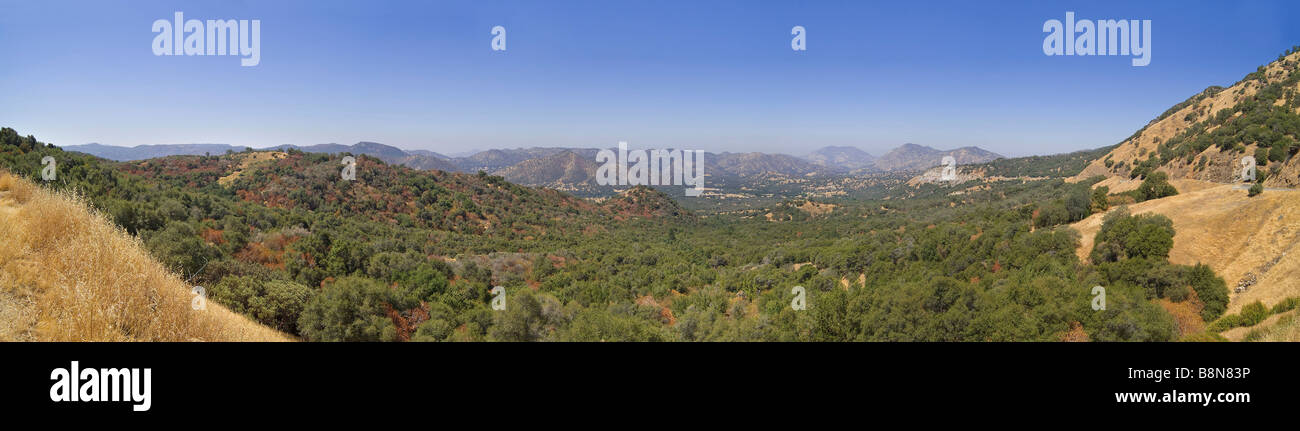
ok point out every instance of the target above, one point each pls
(68, 275)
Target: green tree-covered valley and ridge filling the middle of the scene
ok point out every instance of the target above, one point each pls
(413, 255)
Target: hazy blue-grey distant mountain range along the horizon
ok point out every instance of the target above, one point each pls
(557, 167)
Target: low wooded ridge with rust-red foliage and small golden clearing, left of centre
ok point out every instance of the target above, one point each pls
(382, 193)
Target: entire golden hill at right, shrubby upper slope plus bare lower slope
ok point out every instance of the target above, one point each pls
(1201, 145)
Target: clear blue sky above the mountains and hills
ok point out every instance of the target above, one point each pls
(717, 76)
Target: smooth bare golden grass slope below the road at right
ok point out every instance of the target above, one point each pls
(1236, 236)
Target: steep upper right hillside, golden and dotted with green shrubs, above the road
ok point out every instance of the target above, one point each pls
(1207, 137)
